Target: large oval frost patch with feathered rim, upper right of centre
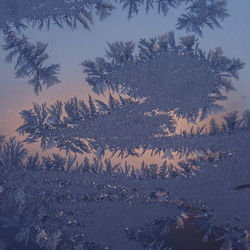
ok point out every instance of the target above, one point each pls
(163, 69)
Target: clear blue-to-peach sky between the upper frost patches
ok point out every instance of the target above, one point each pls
(70, 48)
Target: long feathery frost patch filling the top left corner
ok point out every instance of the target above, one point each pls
(56, 12)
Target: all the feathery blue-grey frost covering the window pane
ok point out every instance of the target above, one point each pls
(73, 202)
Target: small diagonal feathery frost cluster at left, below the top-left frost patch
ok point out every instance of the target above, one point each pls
(30, 60)
